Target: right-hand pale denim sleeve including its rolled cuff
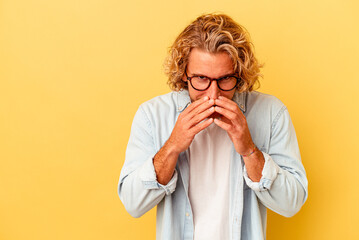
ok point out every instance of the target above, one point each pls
(283, 187)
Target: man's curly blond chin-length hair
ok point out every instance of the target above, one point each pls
(214, 33)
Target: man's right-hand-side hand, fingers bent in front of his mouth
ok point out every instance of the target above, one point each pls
(235, 123)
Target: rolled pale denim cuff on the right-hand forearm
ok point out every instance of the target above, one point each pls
(269, 174)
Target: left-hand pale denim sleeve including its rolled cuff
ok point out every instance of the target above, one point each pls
(138, 187)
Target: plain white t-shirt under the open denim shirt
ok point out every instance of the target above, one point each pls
(209, 159)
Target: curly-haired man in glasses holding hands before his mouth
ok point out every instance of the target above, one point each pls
(213, 154)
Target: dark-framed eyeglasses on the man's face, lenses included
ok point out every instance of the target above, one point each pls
(202, 83)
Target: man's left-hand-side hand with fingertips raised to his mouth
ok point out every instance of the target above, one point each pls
(190, 122)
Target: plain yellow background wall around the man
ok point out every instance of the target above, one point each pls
(73, 73)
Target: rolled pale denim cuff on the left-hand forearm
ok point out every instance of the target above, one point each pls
(149, 180)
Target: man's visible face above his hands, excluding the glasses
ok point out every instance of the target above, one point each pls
(212, 65)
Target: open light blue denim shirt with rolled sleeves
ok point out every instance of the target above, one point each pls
(283, 187)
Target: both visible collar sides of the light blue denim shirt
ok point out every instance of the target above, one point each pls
(183, 100)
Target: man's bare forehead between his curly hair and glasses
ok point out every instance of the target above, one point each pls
(209, 64)
